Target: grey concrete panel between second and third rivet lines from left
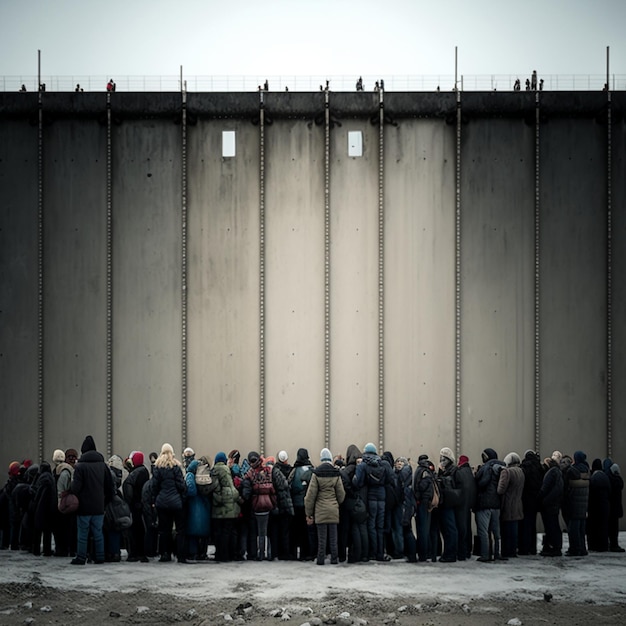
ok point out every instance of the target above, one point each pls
(146, 286)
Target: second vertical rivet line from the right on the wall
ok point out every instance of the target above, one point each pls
(537, 278)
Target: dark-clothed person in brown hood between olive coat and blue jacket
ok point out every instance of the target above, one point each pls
(353, 511)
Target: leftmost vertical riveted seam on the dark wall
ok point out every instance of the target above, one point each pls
(40, 281)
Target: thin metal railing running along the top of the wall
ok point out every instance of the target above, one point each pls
(485, 82)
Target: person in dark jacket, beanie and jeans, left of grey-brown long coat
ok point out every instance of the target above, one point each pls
(488, 504)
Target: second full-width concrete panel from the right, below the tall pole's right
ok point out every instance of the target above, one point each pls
(497, 287)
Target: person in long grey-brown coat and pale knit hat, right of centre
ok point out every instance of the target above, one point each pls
(510, 488)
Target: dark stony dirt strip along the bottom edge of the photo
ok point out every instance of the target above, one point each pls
(34, 603)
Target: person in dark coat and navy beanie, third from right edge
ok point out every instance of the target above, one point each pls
(576, 502)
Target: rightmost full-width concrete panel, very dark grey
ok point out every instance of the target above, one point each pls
(573, 286)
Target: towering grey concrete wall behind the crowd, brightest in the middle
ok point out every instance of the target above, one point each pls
(206, 324)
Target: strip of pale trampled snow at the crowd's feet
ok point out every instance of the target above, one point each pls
(599, 578)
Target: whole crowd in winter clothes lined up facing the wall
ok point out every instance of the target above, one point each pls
(356, 508)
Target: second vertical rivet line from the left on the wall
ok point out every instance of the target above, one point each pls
(109, 283)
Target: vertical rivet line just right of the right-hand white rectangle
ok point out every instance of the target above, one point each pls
(381, 273)
